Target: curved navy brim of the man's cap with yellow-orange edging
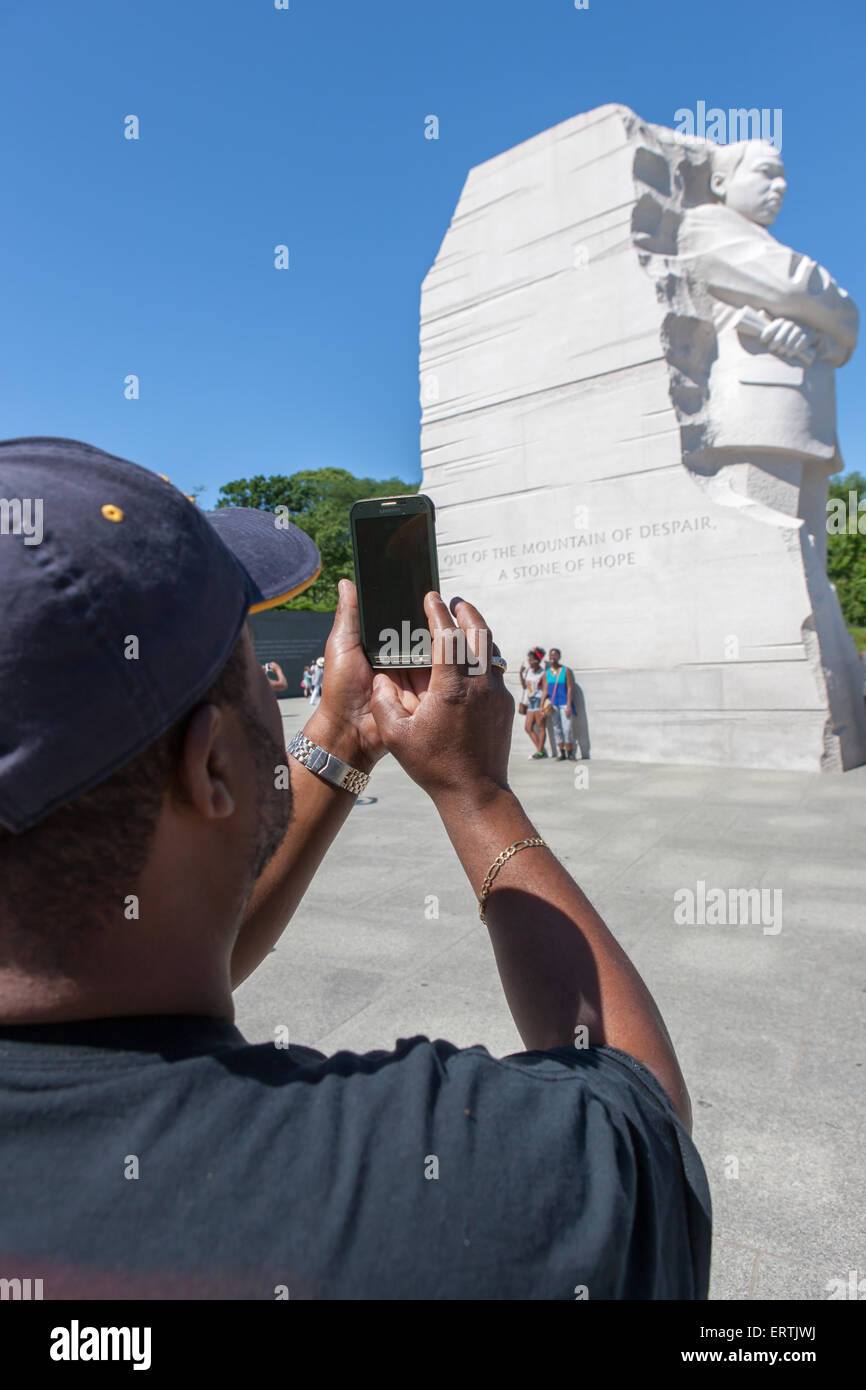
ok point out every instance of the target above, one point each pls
(280, 561)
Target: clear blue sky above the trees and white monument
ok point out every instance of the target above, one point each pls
(307, 127)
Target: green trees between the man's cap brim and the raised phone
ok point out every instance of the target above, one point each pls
(319, 502)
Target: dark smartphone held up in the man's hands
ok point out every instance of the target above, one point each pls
(394, 543)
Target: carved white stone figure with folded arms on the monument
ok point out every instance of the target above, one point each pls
(782, 327)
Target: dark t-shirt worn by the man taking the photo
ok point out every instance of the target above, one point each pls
(169, 1159)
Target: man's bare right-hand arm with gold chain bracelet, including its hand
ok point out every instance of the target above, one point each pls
(559, 965)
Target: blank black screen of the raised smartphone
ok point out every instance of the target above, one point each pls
(395, 572)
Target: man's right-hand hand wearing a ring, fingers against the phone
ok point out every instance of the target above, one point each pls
(452, 737)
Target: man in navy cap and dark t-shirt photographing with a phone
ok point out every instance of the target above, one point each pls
(155, 843)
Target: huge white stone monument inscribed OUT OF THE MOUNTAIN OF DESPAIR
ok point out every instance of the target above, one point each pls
(629, 423)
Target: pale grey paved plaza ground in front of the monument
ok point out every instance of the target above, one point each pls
(768, 1024)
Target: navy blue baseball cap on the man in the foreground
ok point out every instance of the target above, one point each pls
(120, 604)
